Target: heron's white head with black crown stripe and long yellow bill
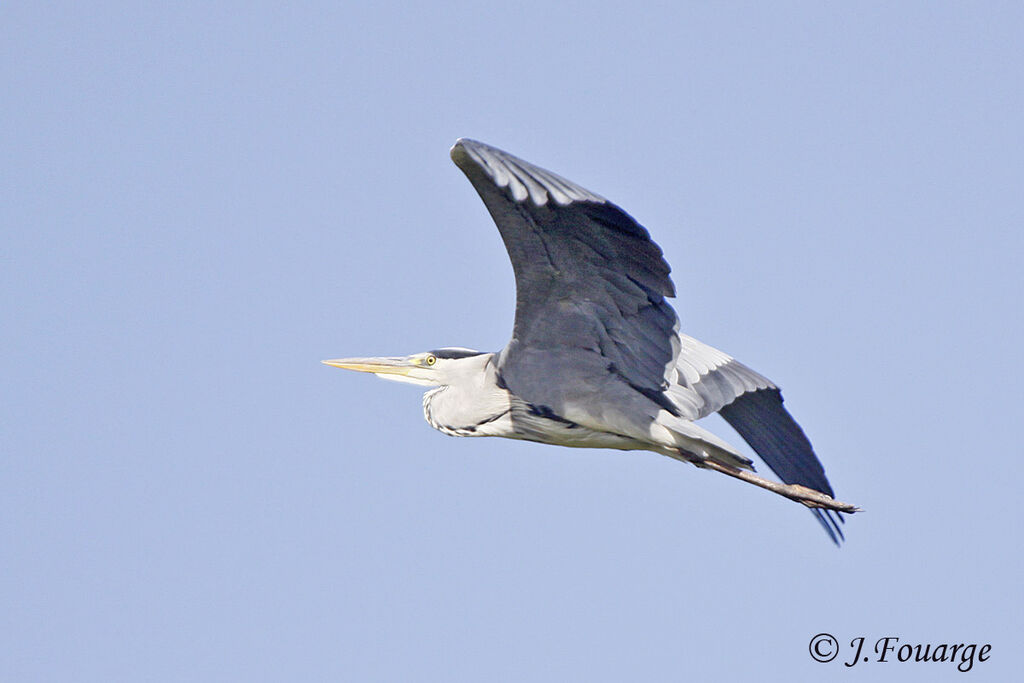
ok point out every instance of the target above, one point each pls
(438, 368)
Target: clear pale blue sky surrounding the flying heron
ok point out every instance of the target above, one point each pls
(201, 201)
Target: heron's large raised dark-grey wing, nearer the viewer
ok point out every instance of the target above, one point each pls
(591, 316)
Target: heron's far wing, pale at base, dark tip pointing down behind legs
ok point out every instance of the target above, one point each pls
(709, 381)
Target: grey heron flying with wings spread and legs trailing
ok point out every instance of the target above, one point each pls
(598, 359)
